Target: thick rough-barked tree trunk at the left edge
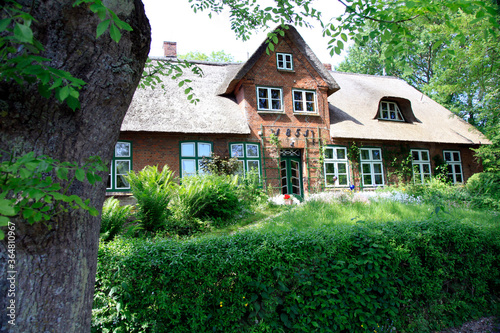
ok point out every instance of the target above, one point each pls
(56, 262)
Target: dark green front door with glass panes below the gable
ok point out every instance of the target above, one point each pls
(291, 172)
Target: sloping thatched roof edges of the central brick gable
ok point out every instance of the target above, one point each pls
(232, 80)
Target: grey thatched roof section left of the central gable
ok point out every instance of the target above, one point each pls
(157, 110)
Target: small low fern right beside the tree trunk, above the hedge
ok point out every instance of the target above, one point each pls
(113, 218)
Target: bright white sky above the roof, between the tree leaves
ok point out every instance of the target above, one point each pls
(175, 21)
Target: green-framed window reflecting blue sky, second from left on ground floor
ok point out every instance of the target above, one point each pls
(192, 154)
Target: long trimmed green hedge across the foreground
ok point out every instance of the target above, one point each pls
(411, 276)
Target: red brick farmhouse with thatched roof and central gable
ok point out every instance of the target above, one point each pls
(301, 126)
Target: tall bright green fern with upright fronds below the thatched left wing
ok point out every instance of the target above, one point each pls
(153, 191)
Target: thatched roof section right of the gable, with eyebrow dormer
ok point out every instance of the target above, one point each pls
(353, 113)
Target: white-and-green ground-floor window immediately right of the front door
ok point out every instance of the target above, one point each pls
(336, 166)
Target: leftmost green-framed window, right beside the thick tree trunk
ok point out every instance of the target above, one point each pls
(120, 166)
